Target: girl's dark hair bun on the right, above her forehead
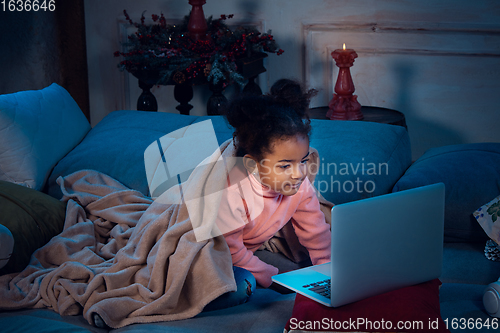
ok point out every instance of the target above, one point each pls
(291, 93)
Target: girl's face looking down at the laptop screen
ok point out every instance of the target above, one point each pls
(285, 168)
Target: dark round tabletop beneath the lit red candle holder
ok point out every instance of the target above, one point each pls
(370, 113)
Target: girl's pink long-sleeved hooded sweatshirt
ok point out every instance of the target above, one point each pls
(250, 214)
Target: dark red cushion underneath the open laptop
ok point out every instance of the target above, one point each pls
(410, 309)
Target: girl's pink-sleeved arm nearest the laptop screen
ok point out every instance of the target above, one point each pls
(311, 228)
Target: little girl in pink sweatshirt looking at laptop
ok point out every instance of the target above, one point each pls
(272, 139)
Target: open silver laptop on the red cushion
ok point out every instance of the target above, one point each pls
(379, 244)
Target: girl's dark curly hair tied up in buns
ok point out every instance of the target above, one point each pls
(260, 120)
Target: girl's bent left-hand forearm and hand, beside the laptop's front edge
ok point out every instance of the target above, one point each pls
(244, 258)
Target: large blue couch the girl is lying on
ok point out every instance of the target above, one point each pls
(359, 160)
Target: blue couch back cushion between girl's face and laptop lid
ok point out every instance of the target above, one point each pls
(358, 159)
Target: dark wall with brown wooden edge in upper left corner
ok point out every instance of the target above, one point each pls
(40, 48)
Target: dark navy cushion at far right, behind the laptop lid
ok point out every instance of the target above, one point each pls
(471, 175)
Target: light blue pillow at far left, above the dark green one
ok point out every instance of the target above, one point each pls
(37, 128)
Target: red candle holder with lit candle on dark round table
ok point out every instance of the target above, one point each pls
(344, 105)
